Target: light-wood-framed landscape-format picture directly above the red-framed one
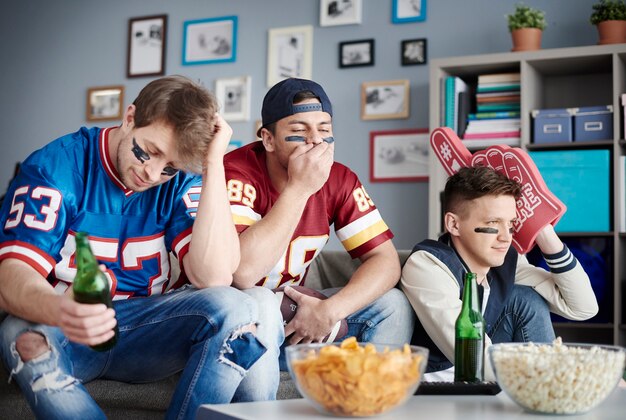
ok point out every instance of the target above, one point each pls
(385, 100)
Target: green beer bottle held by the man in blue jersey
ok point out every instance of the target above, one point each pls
(90, 284)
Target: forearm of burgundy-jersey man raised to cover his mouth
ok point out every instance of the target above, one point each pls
(264, 243)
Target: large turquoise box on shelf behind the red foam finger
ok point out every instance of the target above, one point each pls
(581, 180)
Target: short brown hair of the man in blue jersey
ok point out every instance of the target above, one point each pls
(185, 106)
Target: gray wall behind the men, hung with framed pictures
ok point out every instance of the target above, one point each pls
(52, 51)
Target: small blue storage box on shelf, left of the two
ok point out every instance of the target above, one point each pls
(552, 125)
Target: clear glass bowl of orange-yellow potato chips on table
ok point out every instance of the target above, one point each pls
(354, 379)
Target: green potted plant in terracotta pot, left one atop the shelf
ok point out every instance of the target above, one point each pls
(526, 25)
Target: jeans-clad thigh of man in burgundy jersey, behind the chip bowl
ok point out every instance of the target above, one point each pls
(388, 320)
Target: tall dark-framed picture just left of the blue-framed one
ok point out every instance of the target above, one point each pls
(146, 46)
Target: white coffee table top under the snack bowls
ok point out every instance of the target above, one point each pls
(440, 407)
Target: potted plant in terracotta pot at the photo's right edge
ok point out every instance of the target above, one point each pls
(609, 16)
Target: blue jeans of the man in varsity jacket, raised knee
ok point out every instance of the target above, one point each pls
(526, 317)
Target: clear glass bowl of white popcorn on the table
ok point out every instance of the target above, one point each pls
(558, 378)
